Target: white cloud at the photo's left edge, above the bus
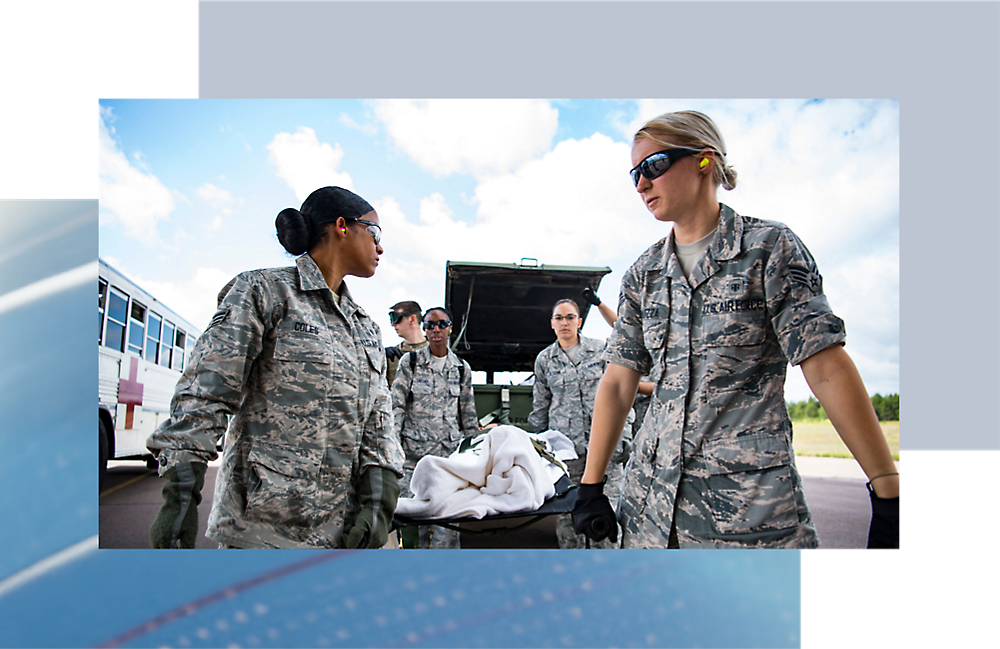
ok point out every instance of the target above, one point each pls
(128, 195)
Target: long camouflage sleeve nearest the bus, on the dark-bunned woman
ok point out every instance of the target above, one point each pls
(211, 387)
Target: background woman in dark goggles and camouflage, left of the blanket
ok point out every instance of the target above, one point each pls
(433, 409)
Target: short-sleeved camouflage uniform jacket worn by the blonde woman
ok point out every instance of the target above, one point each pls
(714, 458)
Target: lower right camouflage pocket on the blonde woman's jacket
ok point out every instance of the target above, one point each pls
(750, 484)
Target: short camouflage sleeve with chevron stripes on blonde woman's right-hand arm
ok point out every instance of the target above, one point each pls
(800, 314)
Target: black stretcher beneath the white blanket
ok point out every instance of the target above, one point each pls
(561, 503)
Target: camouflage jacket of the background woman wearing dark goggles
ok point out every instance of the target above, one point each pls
(429, 421)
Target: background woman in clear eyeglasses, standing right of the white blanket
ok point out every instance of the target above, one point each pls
(567, 373)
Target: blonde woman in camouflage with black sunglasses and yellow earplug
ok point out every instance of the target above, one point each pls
(714, 313)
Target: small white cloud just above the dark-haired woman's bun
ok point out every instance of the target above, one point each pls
(305, 163)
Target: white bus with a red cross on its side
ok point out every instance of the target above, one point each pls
(142, 347)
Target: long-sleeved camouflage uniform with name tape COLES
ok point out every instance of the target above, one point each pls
(304, 381)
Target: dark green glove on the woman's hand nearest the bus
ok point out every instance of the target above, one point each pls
(176, 524)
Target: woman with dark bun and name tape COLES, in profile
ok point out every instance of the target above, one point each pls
(311, 459)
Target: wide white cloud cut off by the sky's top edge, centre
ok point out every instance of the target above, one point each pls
(473, 136)
